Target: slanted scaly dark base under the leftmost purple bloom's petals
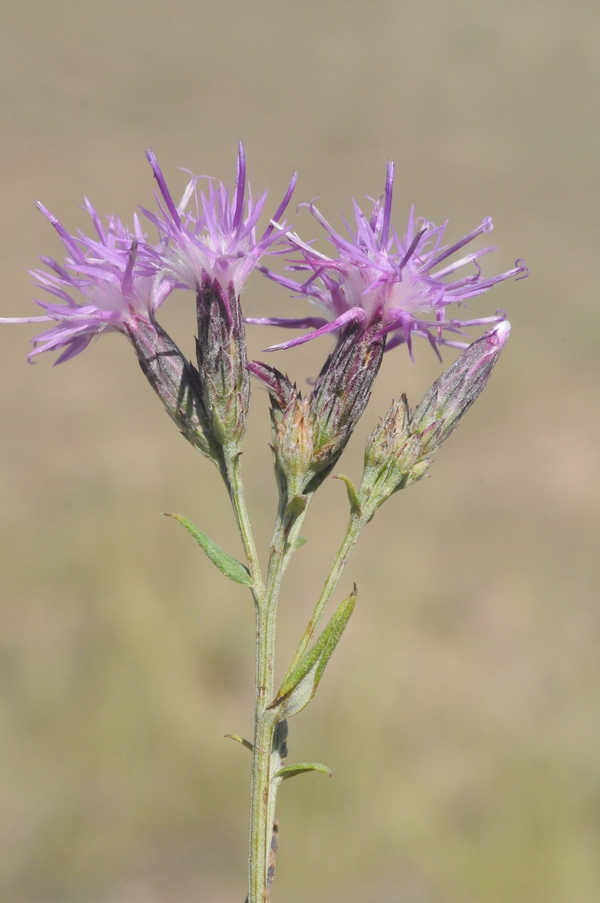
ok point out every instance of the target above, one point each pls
(175, 381)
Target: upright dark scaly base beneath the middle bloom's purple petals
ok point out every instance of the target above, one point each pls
(222, 360)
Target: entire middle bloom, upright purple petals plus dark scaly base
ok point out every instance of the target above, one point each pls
(212, 250)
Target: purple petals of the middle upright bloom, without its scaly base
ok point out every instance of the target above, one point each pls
(215, 238)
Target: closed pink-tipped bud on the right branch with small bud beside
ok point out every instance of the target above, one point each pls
(398, 450)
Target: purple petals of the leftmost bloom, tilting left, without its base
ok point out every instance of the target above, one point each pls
(112, 273)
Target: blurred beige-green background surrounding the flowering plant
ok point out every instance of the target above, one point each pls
(461, 717)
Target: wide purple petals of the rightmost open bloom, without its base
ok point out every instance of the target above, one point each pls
(407, 282)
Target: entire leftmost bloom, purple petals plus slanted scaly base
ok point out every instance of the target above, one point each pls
(114, 275)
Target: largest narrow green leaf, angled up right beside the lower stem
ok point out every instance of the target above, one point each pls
(300, 685)
